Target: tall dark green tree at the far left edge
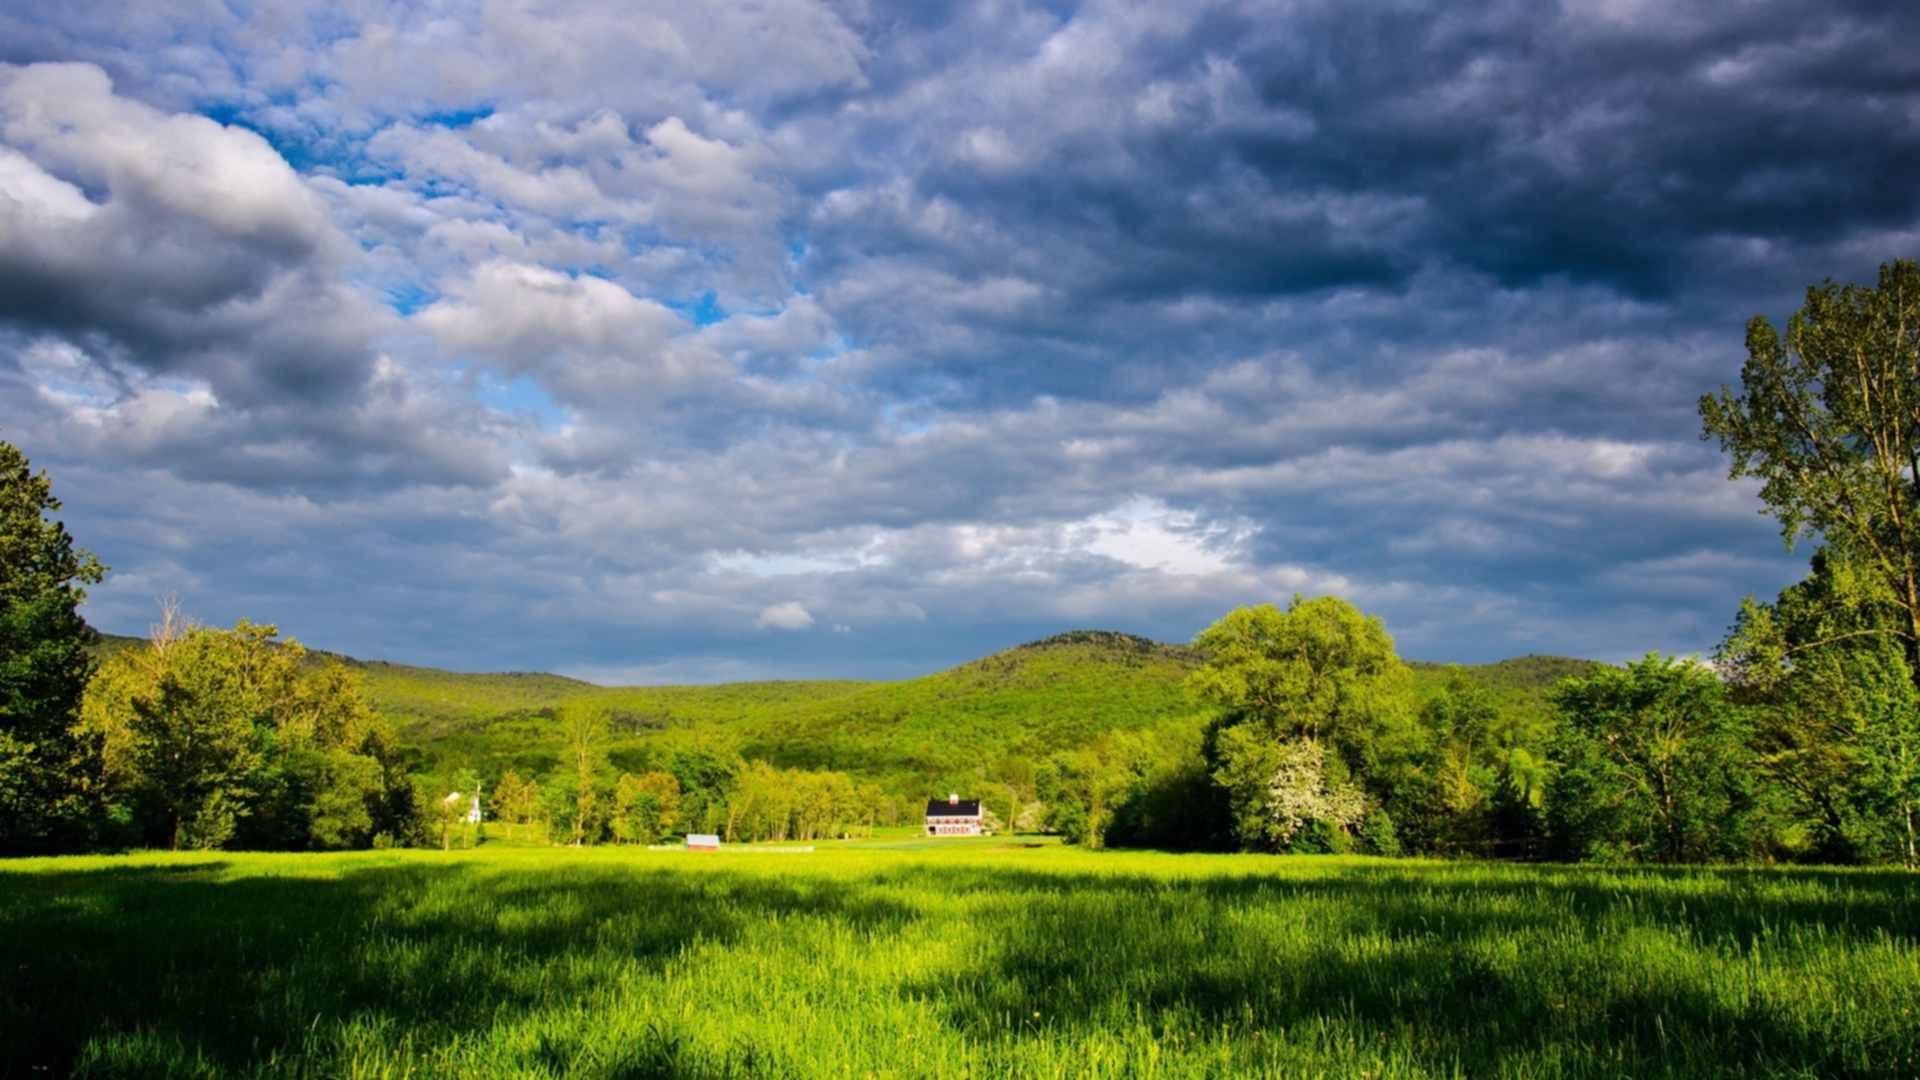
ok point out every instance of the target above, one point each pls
(47, 768)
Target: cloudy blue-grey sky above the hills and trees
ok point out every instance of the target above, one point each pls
(660, 343)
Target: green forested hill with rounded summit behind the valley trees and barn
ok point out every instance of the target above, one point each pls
(1024, 702)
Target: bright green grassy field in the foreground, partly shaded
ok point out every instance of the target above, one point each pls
(948, 960)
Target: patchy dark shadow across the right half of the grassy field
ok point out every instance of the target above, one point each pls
(1189, 956)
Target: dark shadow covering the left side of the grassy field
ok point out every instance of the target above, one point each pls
(237, 971)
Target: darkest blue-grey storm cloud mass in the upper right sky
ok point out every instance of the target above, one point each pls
(1522, 141)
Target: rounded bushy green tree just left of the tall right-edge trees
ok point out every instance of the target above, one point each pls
(1652, 764)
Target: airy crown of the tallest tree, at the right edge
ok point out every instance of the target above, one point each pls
(1829, 420)
